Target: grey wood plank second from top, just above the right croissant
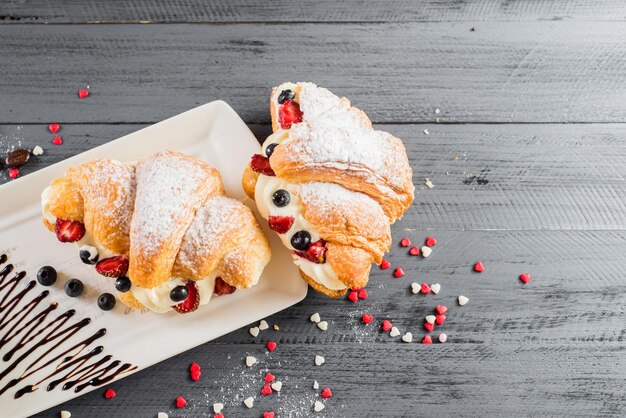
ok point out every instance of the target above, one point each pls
(398, 73)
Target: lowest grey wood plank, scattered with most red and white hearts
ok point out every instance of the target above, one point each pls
(553, 347)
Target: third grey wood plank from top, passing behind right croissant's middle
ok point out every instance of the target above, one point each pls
(531, 176)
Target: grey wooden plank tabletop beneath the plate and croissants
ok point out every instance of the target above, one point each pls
(528, 161)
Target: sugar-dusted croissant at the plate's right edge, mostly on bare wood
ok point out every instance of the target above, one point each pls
(330, 185)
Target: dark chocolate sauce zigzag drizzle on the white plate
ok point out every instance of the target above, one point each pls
(76, 367)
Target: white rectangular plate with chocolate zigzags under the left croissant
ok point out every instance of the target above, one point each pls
(212, 132)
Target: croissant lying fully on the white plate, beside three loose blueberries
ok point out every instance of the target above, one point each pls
(161, 226)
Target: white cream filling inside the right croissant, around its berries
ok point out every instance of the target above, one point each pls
(265, 188)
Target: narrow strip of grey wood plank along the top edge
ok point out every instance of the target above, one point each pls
(155, 11)
